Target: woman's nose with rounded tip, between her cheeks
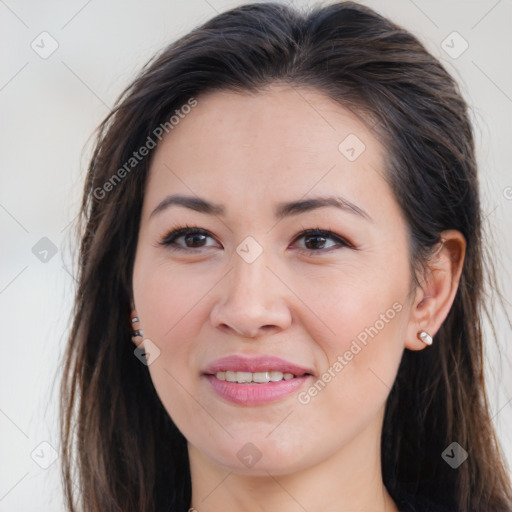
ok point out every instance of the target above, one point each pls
(252, 300)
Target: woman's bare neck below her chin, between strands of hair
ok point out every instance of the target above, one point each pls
(346, 480)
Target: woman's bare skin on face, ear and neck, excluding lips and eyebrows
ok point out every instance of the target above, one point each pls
(249, 152)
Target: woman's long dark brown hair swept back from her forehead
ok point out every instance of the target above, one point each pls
(120, 448)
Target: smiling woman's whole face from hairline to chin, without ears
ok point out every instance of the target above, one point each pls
(334, 307)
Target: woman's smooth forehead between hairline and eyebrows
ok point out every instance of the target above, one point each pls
(281, 141)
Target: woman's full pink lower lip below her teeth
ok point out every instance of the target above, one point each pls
(255, 394)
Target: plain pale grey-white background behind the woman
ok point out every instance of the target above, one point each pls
(49, 108)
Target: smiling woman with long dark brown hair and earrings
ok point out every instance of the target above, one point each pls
(281, 280)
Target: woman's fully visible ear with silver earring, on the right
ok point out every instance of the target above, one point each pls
(436, 293)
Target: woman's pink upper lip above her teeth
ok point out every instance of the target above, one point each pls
(236, 363)
